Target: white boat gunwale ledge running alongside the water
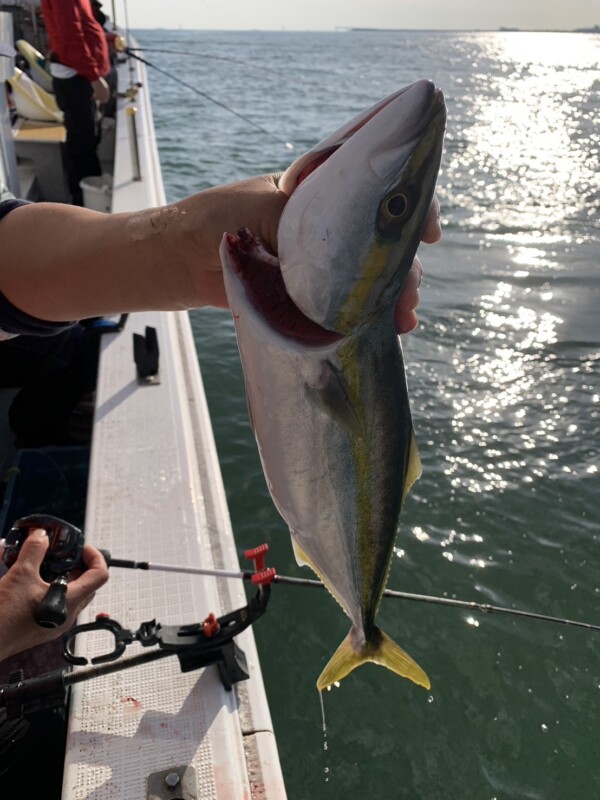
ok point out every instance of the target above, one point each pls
(156, 494)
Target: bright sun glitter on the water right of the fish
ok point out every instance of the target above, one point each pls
(533, 189)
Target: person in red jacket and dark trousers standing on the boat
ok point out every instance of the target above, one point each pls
(79, 63)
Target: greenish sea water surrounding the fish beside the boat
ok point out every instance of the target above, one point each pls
(503, 376)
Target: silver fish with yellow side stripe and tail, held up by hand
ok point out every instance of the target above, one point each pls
(323, 365)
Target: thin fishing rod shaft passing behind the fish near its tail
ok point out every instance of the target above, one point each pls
(484, 608)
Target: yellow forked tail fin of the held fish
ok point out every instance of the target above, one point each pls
(379, 649)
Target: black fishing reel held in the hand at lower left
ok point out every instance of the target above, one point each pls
(64, 555)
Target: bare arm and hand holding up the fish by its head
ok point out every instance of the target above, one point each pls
(63, 262)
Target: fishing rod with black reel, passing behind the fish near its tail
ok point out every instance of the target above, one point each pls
(64, 555)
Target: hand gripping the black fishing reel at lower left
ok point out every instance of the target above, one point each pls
(22, 589)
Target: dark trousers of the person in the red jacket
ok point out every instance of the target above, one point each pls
(75, 98)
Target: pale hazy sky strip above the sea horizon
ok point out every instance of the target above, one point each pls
(330, 14)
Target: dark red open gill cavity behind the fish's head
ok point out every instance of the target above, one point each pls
(260, 273)
